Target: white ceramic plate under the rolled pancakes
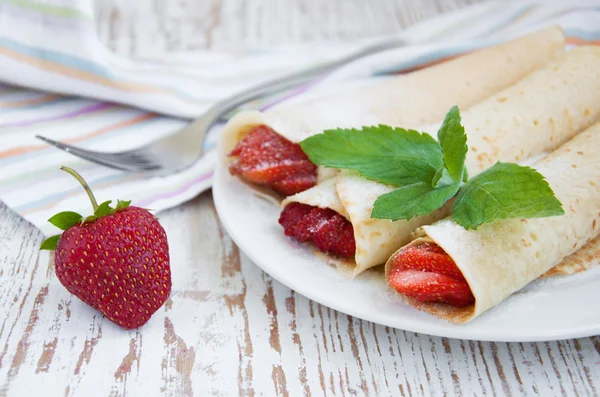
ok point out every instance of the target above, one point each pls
(554, 308)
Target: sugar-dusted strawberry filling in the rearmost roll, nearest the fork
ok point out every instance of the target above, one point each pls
(266, 158)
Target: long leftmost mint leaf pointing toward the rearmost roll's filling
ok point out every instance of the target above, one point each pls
(393, 156)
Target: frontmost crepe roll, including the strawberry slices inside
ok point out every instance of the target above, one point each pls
(499, 258)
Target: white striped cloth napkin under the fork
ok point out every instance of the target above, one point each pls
(58, 80)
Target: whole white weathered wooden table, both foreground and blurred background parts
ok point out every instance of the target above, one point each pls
(228, 328)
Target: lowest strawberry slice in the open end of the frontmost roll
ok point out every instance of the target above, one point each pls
(431, 287)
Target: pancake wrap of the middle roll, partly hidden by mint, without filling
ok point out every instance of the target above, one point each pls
(534, 116)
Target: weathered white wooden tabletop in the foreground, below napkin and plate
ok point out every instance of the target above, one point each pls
(230, 329)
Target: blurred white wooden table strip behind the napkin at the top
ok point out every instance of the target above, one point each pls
(131, 28)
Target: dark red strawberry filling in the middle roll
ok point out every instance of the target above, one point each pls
(326, 229)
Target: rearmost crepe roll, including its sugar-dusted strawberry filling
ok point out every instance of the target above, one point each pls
(261, 147)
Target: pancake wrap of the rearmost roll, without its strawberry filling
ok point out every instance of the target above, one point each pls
(417, 98)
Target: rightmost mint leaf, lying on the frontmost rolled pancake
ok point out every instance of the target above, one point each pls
(505, 191)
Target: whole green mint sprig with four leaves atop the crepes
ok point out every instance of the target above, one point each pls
(429, 173)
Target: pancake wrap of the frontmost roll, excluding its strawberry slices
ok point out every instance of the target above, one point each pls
(500, 258)
